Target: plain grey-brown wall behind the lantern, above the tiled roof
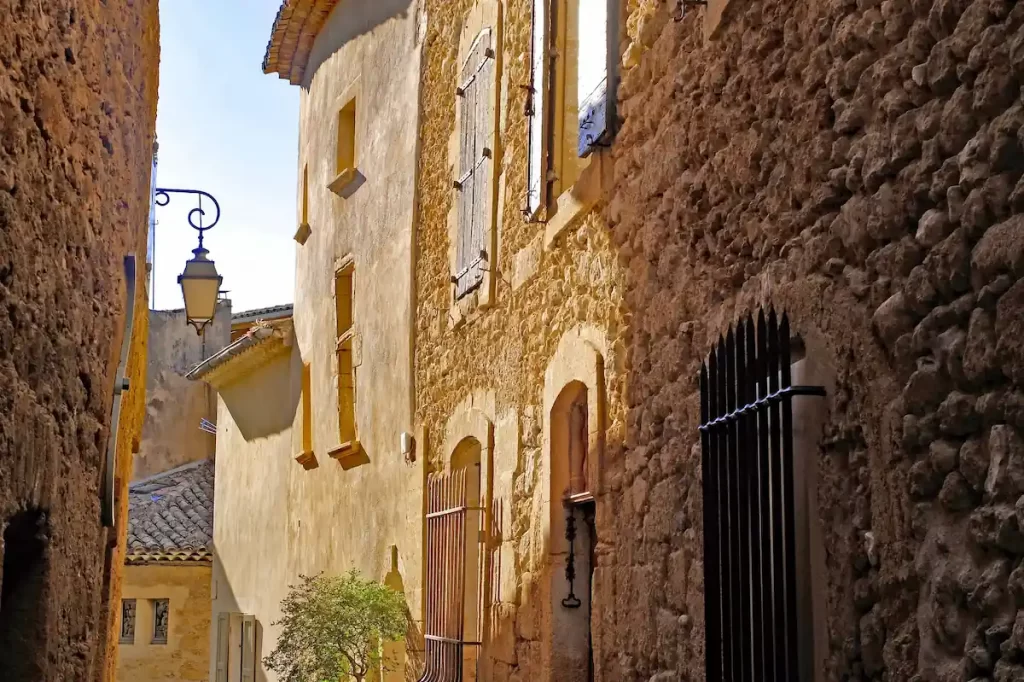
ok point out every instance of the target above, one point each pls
(176, 406)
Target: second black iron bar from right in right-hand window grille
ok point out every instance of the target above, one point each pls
(779, 555)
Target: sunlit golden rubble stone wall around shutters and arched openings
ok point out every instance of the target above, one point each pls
(497, 360)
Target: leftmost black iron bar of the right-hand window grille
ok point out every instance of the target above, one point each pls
(713, 619)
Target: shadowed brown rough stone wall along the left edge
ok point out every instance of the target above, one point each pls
(78, 95)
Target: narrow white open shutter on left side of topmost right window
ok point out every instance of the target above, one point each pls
(537, 170)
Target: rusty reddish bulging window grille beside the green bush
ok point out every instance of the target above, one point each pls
(447, 536)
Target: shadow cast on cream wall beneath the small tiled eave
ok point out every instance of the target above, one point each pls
(265, 403)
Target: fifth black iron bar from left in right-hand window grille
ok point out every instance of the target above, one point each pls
(743, 484)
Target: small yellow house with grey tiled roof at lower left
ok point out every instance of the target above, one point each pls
(165, 601)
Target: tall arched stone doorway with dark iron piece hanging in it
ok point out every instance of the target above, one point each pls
(574, 437)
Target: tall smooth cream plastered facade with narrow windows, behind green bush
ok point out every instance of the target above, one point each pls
(275, 518)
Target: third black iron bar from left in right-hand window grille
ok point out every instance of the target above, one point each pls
(726, 523)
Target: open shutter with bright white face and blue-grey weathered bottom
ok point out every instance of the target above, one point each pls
(595, 86)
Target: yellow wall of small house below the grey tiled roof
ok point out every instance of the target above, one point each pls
(186, 656)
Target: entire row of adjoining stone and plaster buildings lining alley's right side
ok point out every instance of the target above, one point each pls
(825, 195)
